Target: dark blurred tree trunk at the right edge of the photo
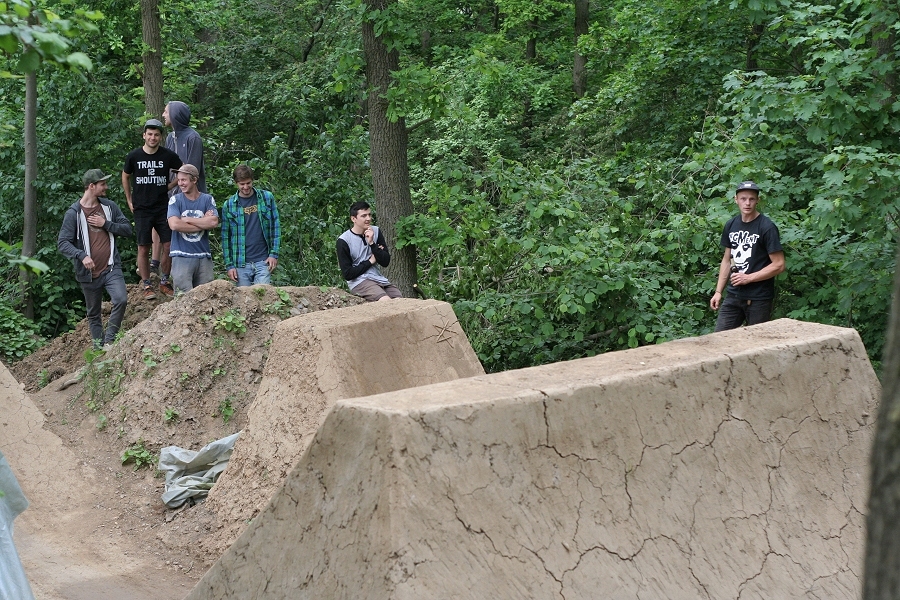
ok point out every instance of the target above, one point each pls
(882, 566)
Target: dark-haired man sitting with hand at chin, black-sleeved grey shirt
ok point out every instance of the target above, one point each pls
(360, 250)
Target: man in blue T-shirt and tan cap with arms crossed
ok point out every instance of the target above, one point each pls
(191, 215)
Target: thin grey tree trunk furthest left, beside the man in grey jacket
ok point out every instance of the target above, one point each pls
(29, 230)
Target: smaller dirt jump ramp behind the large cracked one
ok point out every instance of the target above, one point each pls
(316, 360)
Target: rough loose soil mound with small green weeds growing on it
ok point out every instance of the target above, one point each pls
(183, 373)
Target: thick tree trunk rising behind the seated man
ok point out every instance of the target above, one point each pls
(388, 154)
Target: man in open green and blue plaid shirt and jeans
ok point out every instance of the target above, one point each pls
(251, 232)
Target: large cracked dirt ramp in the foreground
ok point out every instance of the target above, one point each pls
(727, 466)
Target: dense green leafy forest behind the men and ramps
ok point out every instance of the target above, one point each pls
(570, 165)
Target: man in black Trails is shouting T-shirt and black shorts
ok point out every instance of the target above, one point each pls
(149, 167)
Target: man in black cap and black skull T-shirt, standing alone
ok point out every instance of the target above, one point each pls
(753, 257)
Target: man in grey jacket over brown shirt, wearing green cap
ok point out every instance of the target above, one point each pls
(88, 238)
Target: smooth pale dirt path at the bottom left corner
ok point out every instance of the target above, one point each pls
(73, 543)
